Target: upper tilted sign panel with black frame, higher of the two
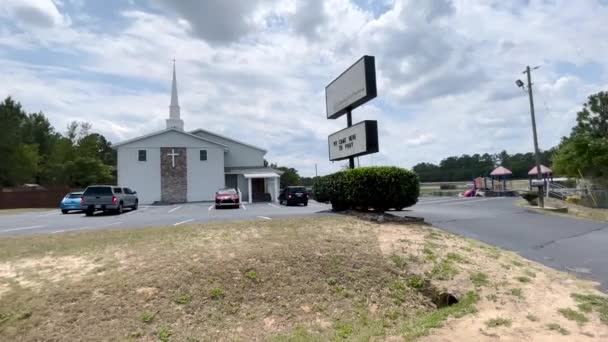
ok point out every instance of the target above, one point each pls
(354, 87)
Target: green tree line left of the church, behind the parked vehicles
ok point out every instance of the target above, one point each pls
(32, 151)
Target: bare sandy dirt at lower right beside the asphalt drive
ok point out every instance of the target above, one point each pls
(512, 289)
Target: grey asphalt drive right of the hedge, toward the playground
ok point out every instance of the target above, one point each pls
(564, 243)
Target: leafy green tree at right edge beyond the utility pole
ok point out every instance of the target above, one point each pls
(585, 151)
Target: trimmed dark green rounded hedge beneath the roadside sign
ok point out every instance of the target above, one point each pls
(378, 188)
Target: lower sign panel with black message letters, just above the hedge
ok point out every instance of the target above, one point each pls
(353, 141)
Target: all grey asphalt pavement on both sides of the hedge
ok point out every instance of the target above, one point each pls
(569, 244)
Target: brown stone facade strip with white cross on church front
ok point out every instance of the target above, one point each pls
(173, 176)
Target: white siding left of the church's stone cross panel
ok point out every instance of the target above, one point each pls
(143, 177)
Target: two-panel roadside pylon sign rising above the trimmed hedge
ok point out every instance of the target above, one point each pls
(351, 89)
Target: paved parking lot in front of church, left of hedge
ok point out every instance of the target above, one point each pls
(176, 215)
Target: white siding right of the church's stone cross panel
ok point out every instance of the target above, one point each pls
(205, 177)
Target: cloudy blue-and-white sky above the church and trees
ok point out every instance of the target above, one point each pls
(256, 70)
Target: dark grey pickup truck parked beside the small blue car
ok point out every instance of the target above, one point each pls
(108, 198)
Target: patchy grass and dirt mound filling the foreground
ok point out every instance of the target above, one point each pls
(305, 279)
